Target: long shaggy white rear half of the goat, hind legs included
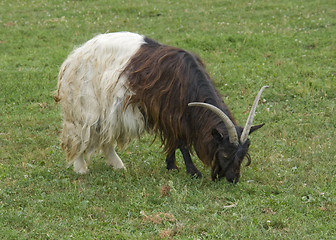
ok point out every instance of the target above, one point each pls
(93, 94)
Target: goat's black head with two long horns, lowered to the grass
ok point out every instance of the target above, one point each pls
(231, 149)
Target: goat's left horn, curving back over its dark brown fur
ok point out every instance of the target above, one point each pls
(233, 136)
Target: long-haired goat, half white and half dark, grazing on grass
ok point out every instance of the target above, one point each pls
(118, 85)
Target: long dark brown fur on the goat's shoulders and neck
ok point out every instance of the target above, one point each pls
(165, 79)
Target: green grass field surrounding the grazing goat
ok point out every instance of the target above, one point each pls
(289, 190)
